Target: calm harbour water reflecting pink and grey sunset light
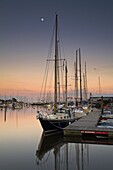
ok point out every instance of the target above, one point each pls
(23, 147)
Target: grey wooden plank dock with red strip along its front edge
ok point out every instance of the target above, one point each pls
(87, 126)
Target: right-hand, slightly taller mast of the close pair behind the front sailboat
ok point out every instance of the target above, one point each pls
(80, 76)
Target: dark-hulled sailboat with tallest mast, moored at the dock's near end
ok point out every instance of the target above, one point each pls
(59, 118)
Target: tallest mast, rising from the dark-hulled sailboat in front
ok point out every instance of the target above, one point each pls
(56, 63)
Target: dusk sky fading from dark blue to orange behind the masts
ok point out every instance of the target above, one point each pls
(25, 41)
